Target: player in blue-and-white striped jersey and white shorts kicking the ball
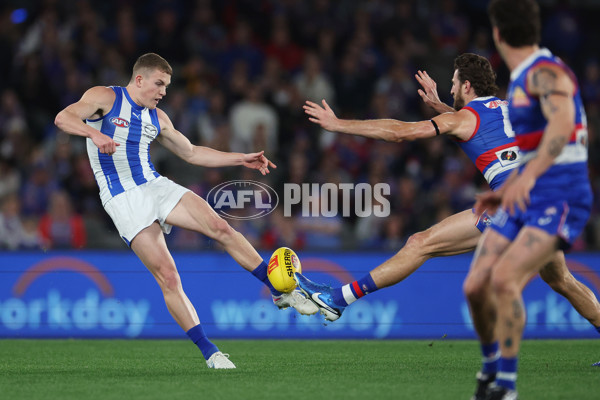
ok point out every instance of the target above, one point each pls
(120, 123)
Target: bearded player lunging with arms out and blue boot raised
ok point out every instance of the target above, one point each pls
(481, 127)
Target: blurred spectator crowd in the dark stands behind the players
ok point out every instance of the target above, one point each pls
(242, 71)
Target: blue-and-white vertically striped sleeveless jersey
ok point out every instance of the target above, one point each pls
(134, 128)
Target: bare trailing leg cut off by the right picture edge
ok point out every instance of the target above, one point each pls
(561, 280)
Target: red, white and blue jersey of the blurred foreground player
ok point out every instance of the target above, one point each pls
(570, 167)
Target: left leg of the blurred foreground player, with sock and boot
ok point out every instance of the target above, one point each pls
(482, 305)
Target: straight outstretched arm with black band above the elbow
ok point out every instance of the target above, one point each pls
(459, 124)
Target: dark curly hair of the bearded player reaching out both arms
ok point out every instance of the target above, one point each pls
(478, 71)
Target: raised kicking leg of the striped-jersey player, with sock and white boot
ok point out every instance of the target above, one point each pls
(194, 213)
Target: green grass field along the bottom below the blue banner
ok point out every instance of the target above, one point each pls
(281, 370)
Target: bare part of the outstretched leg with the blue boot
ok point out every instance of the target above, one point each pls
(456, 234)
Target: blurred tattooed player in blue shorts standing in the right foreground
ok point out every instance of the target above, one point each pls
(544, 206)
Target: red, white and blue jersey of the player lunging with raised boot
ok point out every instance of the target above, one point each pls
(492, 146)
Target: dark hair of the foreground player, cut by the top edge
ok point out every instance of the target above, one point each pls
(518, 21)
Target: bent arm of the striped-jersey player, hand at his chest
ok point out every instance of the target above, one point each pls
(95, 102)
